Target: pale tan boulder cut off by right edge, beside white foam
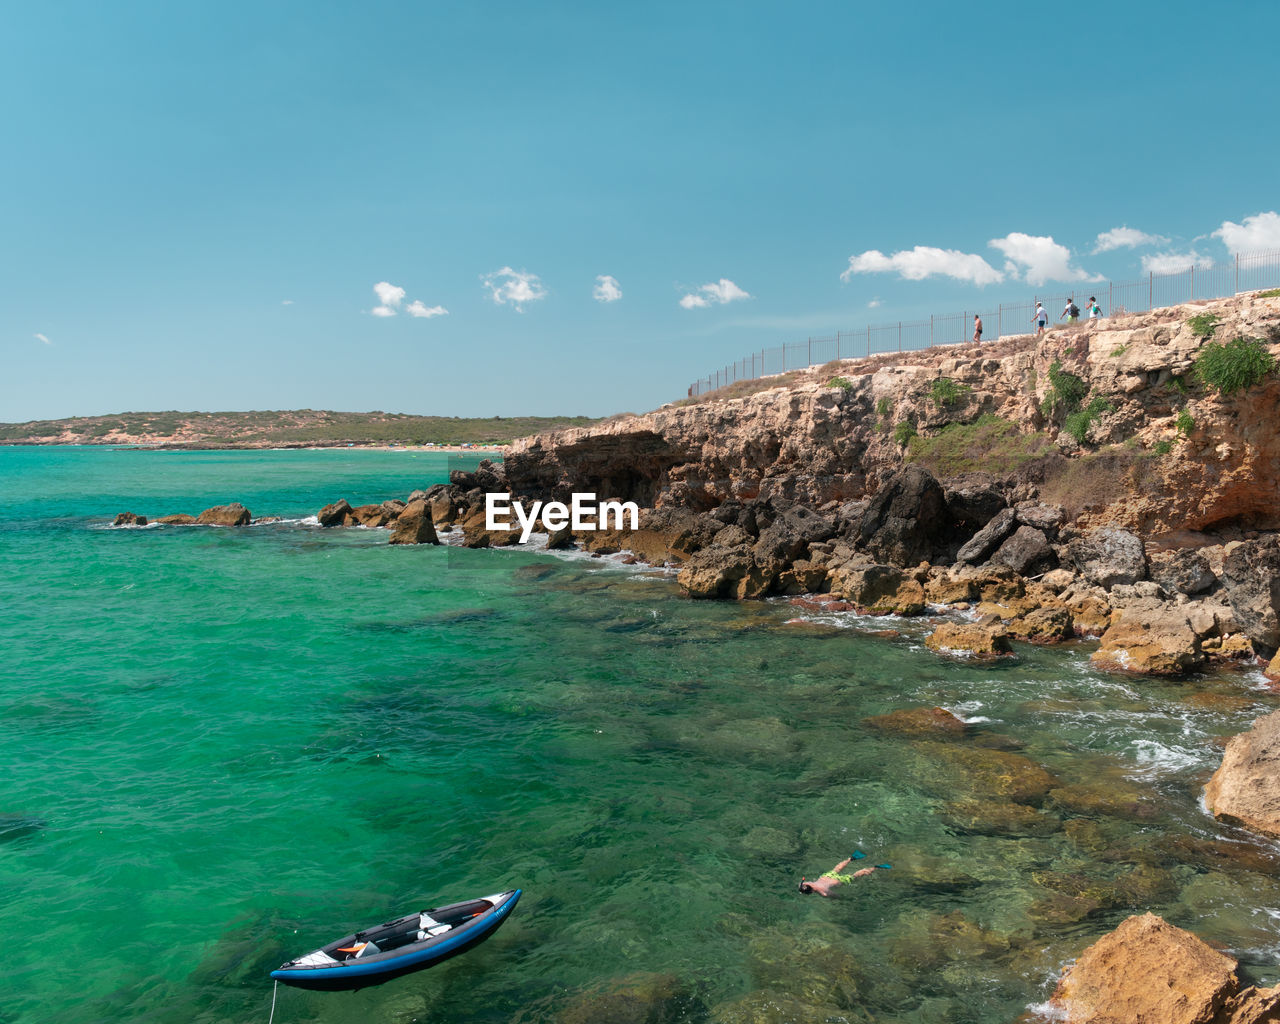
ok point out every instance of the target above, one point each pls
(1246, 788)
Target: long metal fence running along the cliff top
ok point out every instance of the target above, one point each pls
(1249, 272)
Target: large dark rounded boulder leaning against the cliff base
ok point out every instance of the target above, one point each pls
(908, 520)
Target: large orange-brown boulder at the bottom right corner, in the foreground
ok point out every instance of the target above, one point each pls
(1146, 971)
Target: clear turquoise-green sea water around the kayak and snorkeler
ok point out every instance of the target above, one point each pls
(245, 743)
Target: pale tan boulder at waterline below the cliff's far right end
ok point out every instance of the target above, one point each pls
(1150, 638)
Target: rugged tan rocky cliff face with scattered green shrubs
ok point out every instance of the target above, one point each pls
(1103, 418)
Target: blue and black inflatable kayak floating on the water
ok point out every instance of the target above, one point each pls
(401, 947)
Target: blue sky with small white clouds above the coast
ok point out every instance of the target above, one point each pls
(578, 209)
